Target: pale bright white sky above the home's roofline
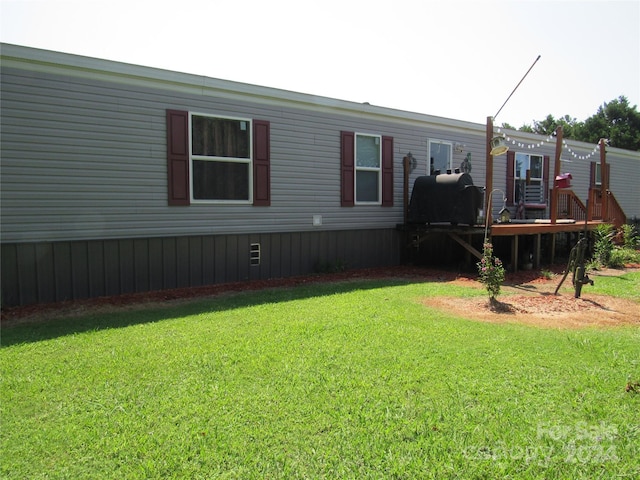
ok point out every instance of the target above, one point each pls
(450, 58)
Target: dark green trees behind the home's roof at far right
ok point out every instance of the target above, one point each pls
(615, 120)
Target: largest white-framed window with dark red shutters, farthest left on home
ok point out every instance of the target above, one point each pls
(221, 159)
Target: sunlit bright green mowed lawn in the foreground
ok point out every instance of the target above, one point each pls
(349, 380)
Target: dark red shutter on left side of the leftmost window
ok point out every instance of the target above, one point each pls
(178, 157)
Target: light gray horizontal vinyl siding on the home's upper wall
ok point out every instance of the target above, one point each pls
(83, 145)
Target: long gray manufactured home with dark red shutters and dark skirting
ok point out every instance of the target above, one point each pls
(118, 178)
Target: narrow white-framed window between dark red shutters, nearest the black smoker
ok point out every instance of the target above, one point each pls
(368, 169)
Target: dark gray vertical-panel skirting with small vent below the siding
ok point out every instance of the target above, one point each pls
(48, 272)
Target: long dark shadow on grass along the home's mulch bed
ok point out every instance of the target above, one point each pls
(82, 317)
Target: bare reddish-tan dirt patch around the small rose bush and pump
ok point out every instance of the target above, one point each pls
(533, 302)
